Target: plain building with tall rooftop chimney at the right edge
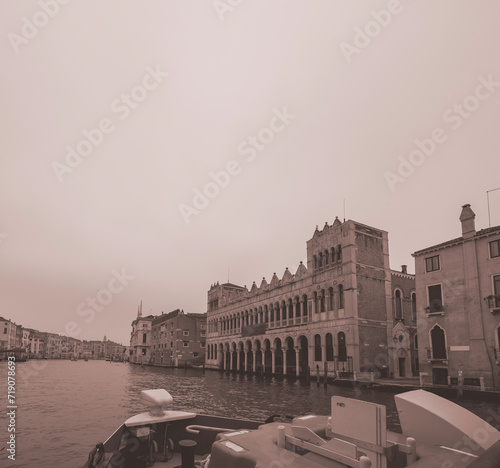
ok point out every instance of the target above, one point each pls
(458, 314)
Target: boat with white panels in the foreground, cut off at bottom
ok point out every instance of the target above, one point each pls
(436, 434)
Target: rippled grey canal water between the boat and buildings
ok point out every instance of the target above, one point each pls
(65, 407)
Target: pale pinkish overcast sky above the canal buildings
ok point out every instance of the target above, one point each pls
(150, 149)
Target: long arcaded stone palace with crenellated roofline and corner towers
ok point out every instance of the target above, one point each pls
(333, 315)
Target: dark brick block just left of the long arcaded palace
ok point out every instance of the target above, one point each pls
(178, 339)
